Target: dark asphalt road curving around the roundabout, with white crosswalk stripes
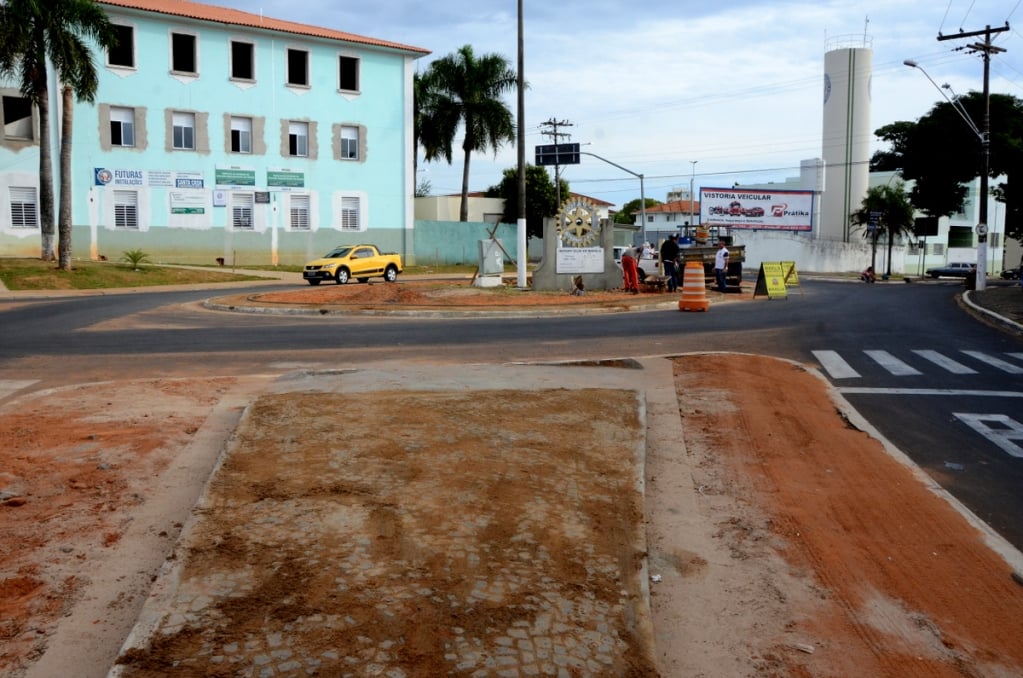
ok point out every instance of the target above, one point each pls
(943, 387)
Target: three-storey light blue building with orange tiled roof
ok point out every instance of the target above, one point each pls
(218, 133)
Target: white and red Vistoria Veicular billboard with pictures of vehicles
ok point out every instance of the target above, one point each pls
(755, 209)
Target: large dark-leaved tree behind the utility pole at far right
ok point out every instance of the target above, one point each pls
(942, 154)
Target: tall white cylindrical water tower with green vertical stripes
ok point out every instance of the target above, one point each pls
(848, 134)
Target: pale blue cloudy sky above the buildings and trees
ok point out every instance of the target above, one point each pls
(652, 86)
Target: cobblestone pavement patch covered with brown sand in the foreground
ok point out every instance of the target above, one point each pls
(500, 550)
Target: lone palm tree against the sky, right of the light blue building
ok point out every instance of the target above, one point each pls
(461, 89)
